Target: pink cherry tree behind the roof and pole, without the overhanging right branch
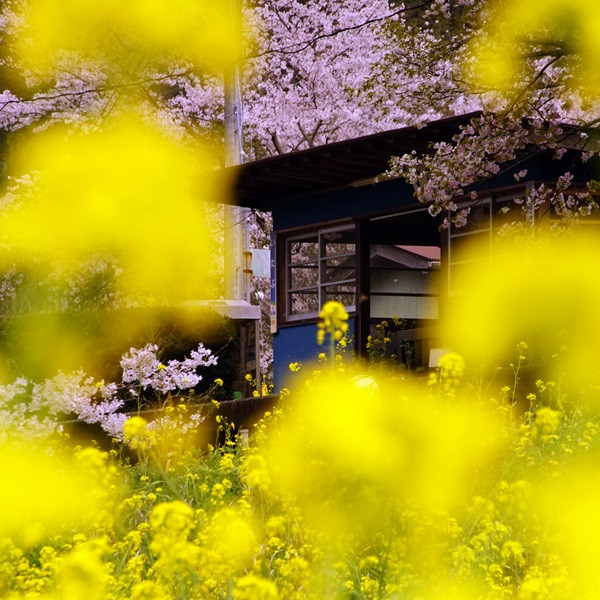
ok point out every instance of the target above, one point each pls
(314, 72)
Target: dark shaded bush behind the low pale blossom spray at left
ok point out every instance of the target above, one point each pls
(174, 330)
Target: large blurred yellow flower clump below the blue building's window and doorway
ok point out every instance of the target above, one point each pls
(352, 445)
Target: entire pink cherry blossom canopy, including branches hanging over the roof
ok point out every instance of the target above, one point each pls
(319, 71)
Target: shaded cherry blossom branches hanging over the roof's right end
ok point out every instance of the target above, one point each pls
(524, 66)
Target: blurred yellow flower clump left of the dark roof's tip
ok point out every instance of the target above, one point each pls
(127, 192)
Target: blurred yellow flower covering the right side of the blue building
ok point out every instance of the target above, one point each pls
(545, 294)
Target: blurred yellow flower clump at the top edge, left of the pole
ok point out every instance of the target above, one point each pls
(127, 34)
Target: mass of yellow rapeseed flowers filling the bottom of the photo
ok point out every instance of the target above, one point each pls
(358, 485)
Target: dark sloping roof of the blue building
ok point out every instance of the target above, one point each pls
(267, 182)
